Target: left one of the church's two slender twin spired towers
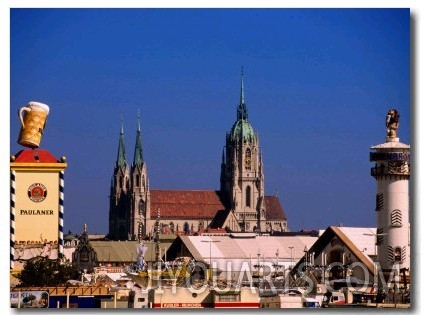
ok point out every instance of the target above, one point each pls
(119, 194)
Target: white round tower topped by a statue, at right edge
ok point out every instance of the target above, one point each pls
(392, 173)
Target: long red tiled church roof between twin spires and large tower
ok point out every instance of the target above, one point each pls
(191, 204)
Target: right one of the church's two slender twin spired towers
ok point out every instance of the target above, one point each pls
(140, 193)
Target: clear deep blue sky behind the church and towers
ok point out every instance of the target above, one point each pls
(318, 84)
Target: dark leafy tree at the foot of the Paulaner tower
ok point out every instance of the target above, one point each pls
(42, 271)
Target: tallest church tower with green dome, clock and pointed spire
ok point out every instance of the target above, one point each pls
(242, 171)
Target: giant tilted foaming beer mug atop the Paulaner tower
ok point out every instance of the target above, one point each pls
(33, 120)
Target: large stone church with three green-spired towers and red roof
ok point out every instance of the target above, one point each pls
(137, 211)
